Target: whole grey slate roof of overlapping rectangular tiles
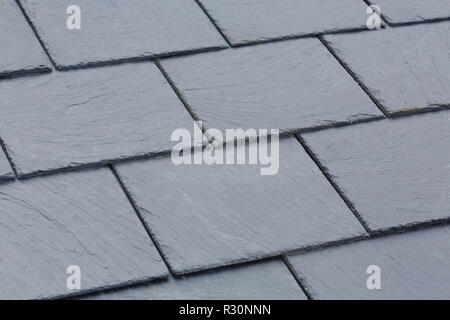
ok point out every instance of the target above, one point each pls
(86, 177)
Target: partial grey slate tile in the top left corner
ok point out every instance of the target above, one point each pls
(21, 51)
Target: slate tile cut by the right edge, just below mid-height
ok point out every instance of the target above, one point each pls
(394, 172)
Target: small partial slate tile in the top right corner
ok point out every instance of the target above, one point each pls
(410, 11)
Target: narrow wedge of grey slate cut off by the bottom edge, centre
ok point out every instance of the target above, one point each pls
(261, 281)
